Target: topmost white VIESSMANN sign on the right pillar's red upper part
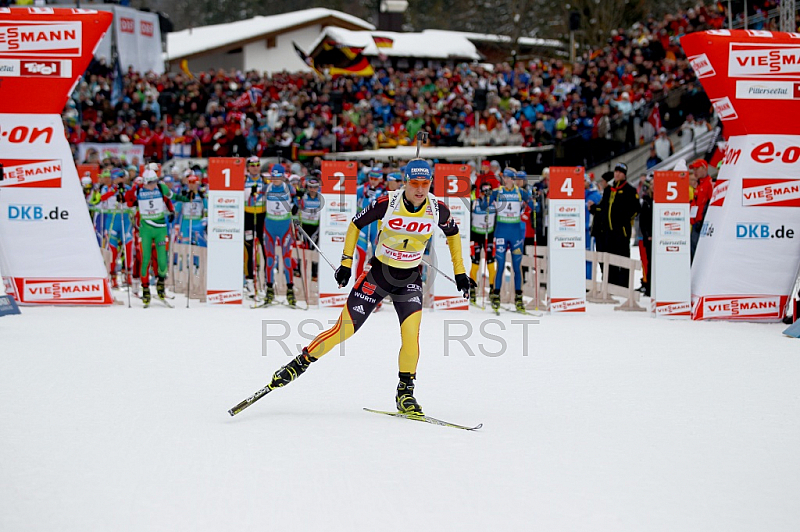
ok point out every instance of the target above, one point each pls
(763, 60)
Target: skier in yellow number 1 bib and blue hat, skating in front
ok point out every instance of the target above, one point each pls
(407, 219)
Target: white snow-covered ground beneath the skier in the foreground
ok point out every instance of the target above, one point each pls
(116, 419)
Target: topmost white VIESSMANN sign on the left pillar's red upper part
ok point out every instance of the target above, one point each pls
(41, 38)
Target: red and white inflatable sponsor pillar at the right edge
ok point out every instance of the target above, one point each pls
(749, 250)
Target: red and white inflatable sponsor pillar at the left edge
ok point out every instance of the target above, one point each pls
(48, 248)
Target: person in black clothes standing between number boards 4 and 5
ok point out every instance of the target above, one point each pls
(618, 209)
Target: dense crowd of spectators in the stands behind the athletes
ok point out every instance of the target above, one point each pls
(586, 111)
